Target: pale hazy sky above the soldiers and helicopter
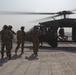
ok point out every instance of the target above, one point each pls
(31, 6)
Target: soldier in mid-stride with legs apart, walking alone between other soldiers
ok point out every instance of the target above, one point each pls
(20, 39)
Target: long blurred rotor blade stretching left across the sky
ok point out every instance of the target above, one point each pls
(24, 13)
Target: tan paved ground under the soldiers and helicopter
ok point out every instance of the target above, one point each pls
(50, 61)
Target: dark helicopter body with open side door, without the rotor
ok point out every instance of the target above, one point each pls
(49, 31)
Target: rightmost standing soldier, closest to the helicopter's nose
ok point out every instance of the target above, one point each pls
(35, 40)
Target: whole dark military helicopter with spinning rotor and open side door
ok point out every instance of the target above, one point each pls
(49, 28)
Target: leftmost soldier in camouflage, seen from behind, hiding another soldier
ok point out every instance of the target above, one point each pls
(6, 36)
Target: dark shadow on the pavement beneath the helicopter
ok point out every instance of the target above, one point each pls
(51, 49)
